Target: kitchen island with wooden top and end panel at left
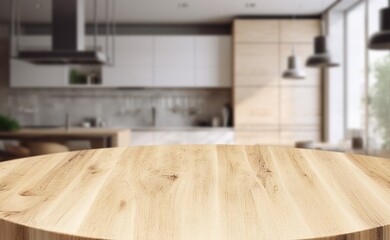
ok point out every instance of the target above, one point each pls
(98, 137)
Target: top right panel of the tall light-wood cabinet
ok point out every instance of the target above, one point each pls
(301, 30)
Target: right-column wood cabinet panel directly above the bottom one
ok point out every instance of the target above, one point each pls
(300, 106)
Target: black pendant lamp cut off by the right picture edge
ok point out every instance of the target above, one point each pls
(381, 39)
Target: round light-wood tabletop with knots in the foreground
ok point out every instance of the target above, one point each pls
(195, 192)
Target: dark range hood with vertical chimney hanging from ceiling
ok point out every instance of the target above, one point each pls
(68, 38)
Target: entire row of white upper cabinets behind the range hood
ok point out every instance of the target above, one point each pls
(139, 61)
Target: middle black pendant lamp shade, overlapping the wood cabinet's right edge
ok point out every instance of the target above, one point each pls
(321, 57)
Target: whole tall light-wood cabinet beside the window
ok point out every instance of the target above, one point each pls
(267, 108)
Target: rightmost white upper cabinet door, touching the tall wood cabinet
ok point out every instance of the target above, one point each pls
(213, 61)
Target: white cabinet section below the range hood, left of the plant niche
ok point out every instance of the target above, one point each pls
(24, 74)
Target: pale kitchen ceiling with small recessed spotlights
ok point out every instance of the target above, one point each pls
(177, 11)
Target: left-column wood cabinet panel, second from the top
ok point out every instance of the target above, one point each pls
(256, 64)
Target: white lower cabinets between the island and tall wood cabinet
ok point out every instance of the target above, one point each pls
(159, 137)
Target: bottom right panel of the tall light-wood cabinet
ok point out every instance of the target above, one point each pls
(290, 137)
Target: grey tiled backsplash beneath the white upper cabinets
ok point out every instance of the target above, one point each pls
(118, 108)
